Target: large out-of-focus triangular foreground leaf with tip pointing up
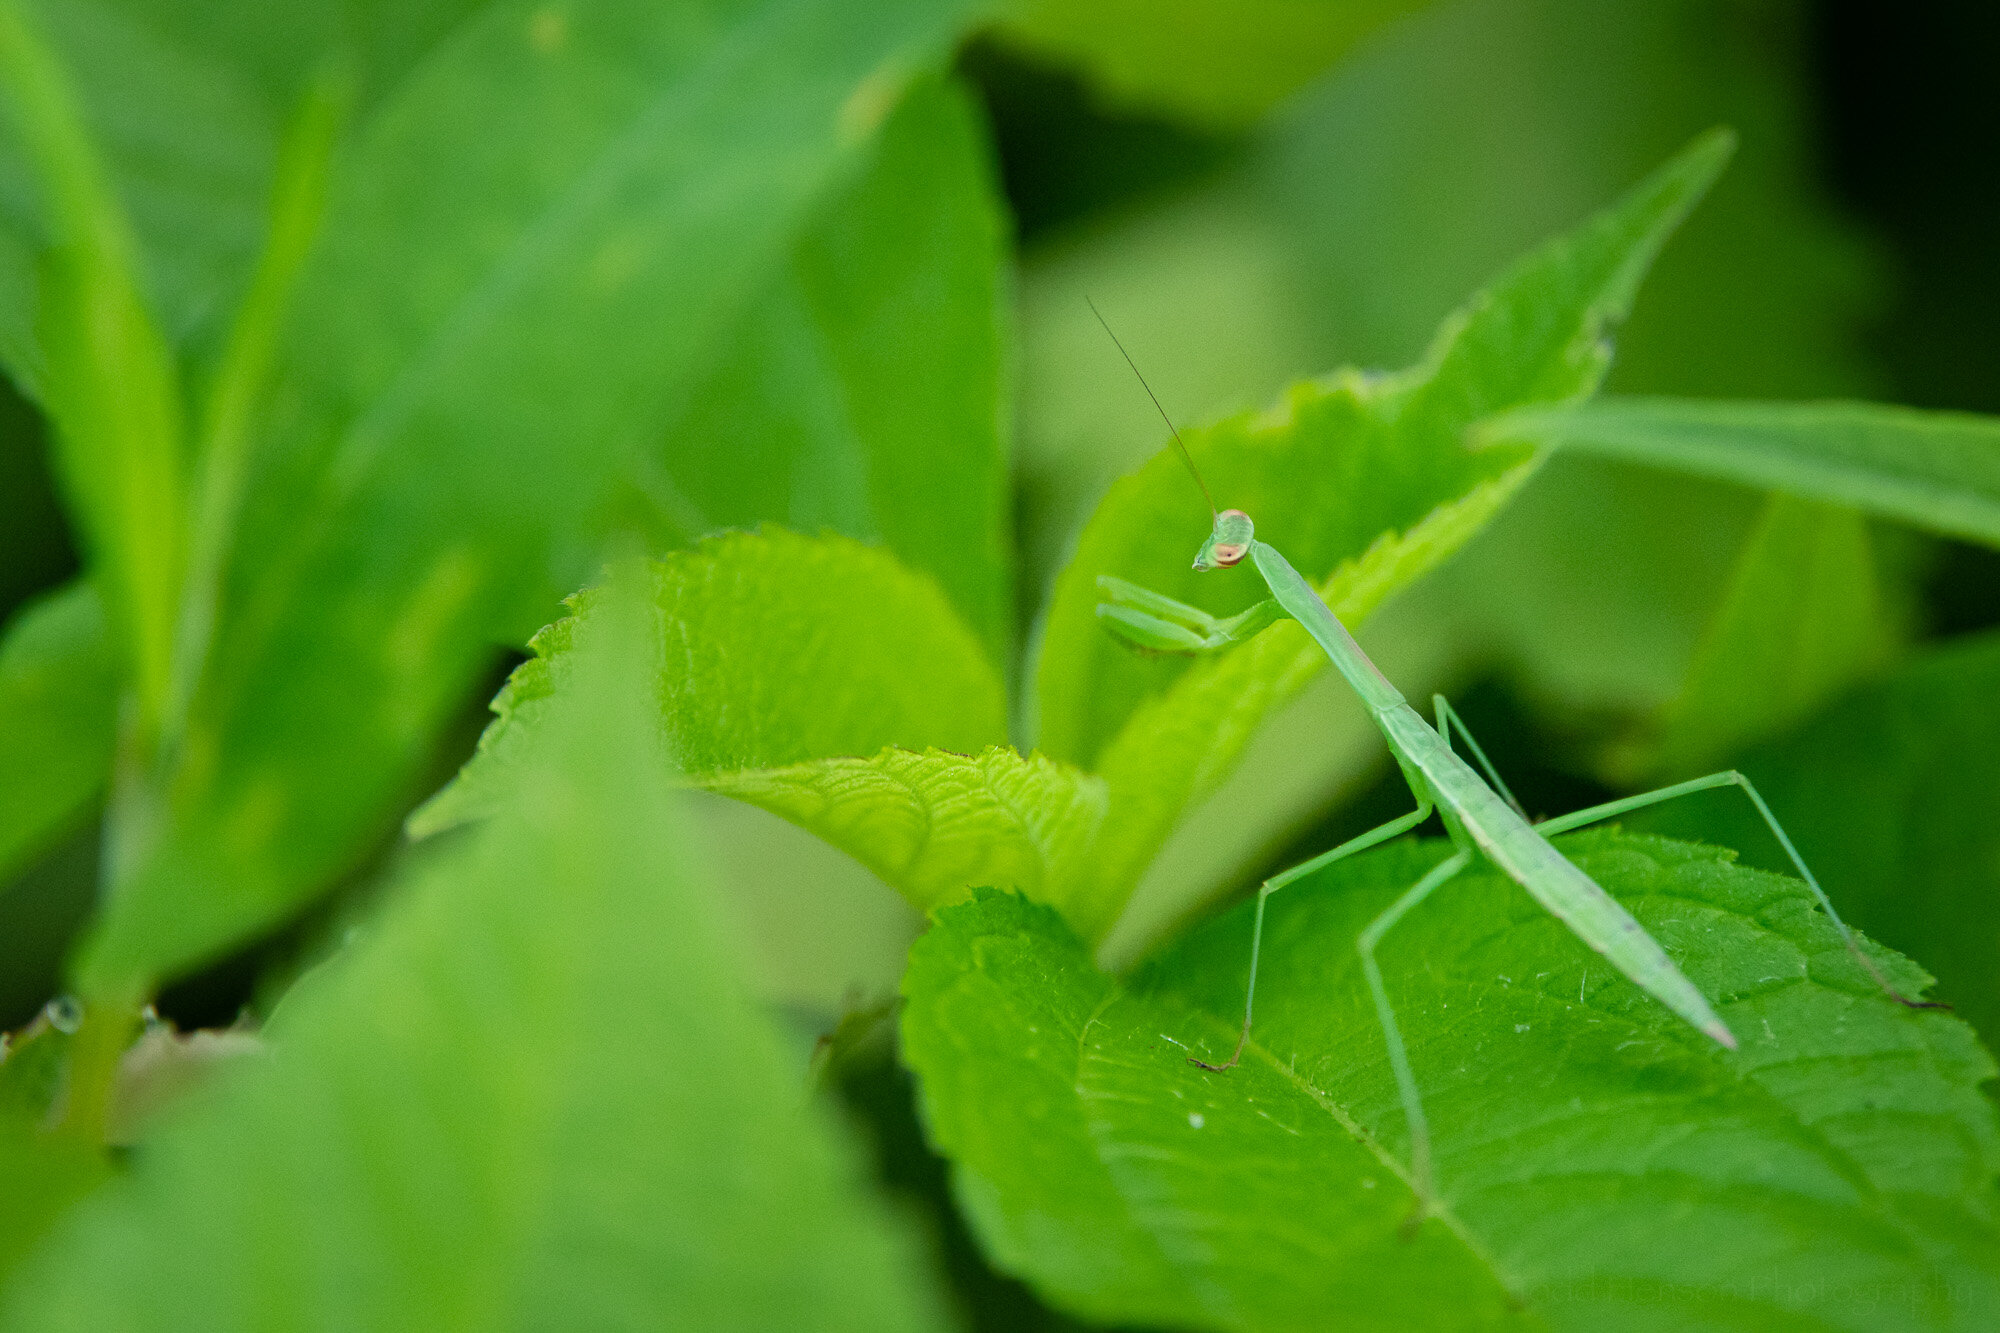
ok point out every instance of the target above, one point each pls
(447, 1124)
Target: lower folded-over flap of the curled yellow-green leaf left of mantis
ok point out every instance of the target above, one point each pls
(935, 826)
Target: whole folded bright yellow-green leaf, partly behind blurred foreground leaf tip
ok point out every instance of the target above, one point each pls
(823, 682)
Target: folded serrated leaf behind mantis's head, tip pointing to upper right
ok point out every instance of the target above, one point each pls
(1363, 481)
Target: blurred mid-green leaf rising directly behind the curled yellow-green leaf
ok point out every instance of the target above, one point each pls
(867, 387)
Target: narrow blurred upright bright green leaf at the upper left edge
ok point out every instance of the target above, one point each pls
(109, 379)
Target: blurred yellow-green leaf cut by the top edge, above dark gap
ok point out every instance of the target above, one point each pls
(1207, 61)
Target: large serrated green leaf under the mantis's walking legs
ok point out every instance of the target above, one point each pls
(1599, 1164)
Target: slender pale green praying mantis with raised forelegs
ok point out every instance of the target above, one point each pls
(1481, 816)
